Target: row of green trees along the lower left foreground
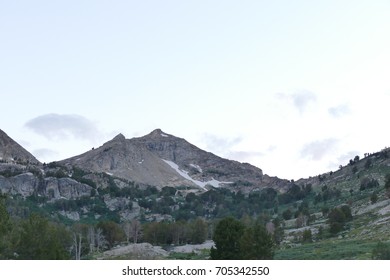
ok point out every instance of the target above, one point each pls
(36, 237)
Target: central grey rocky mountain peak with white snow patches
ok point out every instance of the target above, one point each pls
(161, 159)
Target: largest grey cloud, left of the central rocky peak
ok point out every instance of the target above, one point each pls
(58, 127)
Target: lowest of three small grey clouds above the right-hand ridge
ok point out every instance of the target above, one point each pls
(317, 150)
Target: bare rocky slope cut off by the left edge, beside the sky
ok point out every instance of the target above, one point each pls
(11, 151)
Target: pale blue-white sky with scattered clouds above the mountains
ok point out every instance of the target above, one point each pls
(294, 87)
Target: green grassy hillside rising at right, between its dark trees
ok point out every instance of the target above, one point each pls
(371, 222)
